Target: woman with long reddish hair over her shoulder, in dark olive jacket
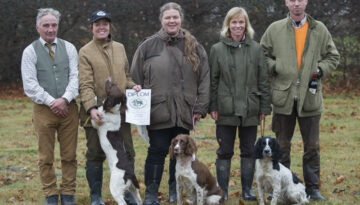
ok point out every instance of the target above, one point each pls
(173, 64)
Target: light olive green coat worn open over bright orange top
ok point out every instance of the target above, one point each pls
(279, 46)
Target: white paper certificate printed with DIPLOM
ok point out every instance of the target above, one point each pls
(138, 106)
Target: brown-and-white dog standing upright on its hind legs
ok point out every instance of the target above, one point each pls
(122, 176)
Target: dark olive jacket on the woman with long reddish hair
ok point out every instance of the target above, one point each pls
(159, 64)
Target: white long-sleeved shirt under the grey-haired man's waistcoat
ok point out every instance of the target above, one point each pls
(29, 74)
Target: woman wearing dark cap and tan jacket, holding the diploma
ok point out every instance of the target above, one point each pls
(100, 59)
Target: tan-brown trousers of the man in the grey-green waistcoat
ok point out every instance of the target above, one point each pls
(46, 124)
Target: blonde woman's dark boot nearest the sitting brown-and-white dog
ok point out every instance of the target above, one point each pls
(223, 175)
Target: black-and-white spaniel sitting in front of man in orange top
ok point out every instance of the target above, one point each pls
(274, 178)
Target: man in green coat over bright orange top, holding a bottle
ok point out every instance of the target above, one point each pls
(299, 51)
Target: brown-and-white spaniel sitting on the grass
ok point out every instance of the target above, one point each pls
(192, 175)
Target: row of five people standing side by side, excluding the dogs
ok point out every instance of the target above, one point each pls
(232, 85)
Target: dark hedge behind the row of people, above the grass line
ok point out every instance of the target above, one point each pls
(136, 19)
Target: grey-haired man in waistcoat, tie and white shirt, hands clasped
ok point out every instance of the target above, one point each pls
(49, 69)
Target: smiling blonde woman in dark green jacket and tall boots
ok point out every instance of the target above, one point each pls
(239, 96)
